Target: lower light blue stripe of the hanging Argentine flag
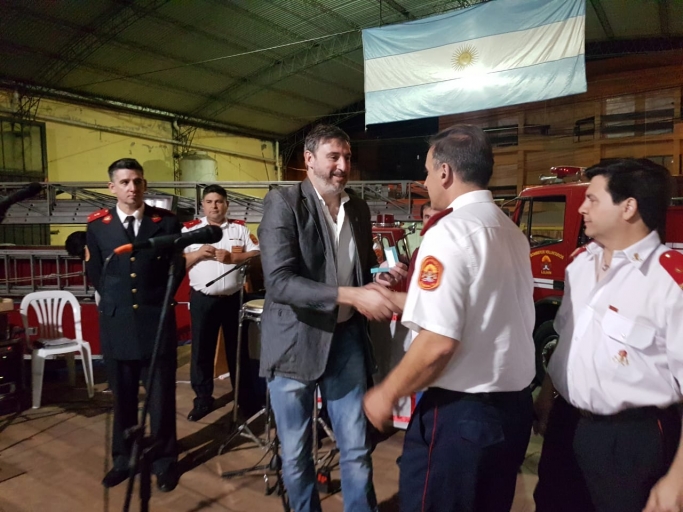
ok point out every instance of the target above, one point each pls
(522, 85)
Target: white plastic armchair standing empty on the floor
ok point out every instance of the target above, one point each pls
(49, 307)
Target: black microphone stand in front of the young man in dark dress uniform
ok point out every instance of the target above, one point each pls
(144, 446)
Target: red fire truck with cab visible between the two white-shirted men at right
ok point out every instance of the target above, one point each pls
(548, 215)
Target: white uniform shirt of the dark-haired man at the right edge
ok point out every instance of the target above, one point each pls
(621, 338)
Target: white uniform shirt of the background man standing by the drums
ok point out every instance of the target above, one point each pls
(205, 271)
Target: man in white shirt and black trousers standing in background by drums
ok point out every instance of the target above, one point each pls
(219, 304)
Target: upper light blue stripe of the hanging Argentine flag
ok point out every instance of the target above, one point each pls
(488, 19)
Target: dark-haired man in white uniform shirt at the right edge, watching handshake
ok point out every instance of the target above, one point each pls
(609, 406)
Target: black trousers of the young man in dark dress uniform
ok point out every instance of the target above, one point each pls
(124, 380)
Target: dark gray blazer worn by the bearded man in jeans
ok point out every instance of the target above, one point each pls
(300, 312)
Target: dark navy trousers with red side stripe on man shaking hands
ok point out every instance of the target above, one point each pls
(462, 451)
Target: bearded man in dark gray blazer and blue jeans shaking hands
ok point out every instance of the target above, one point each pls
(316, 251)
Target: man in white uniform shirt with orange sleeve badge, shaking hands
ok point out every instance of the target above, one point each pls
(470, 305)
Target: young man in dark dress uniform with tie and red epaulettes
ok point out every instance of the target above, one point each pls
(132, 293)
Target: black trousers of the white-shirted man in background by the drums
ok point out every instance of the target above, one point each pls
(208, 313)
